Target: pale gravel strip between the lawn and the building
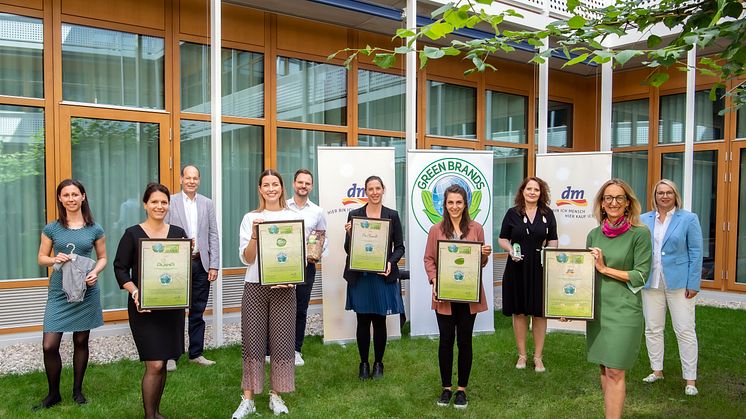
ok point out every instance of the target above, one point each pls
(26, 357)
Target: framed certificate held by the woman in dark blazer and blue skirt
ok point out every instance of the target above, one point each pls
(369, 244)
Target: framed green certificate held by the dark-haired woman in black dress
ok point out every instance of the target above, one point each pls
(165, 273)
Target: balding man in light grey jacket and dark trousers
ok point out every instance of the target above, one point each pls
(195, 213)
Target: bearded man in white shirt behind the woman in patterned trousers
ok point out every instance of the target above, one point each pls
(314, 221)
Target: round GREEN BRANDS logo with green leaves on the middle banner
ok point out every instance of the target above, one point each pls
(428, 193)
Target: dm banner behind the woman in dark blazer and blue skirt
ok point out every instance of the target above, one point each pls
(341, 178)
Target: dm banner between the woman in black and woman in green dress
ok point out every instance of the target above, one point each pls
(573, 179)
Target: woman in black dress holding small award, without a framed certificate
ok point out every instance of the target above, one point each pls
(531, 225)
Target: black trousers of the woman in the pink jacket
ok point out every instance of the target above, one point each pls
(456, 327)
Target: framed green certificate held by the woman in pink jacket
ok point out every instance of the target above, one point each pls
(459, 271)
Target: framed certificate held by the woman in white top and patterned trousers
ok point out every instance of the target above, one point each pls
(281, 252)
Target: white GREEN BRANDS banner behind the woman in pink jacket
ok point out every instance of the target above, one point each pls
(429, 173)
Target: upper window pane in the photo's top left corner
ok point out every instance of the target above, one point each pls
(21, 56)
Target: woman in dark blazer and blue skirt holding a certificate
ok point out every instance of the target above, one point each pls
(373, 296)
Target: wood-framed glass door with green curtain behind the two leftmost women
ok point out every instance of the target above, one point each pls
(115, 154)
